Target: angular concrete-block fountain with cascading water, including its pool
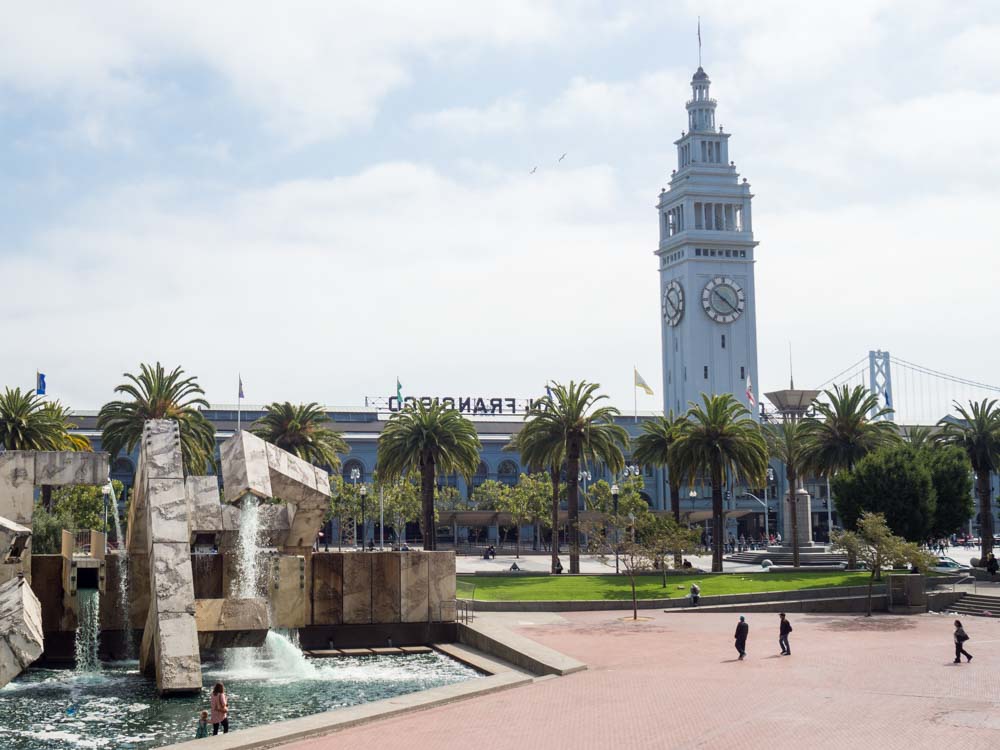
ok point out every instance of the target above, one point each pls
(220, 589)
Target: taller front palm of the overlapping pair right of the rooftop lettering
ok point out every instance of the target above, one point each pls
(572, 424)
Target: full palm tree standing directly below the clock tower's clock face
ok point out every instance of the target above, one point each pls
(720, 437)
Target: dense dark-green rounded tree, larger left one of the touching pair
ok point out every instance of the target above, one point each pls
(893, 481)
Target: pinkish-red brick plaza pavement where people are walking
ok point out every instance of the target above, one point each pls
(673, 682)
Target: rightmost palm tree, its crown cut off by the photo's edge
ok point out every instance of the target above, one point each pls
(978, 434)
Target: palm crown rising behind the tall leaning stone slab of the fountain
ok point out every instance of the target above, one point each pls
(157, 394)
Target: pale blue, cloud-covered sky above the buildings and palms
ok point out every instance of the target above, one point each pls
(325, 196)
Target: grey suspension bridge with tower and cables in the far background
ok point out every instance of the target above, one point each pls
(917, 394)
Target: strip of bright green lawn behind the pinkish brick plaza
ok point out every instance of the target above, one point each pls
(551, 588)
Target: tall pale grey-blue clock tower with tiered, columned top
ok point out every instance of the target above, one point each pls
(706, 256)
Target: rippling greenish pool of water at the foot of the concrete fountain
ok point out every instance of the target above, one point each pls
(118, 708)
